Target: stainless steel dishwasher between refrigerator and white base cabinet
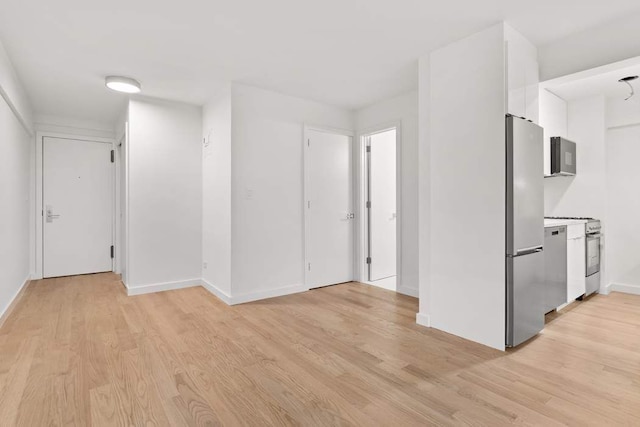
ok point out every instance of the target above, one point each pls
(555, 259)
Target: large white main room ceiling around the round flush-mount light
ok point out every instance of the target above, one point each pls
(343, 52)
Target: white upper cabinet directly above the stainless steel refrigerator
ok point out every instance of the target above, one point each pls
(522, 75)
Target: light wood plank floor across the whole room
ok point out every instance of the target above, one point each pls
(79, 351)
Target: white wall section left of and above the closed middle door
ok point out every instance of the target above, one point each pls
(267, 188)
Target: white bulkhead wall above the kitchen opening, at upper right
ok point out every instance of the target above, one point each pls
(612, 42)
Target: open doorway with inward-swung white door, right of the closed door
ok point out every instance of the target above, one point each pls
(381, 207)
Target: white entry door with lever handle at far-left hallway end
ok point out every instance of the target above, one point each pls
(77, 186)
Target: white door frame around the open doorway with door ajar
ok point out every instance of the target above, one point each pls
(362, 241)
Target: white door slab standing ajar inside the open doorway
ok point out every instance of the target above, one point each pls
(382, 205)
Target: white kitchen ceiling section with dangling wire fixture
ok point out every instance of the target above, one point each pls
(603, 83)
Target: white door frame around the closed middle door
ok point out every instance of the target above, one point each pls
(305, 194)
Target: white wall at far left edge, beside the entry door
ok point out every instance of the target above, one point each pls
(16, 189)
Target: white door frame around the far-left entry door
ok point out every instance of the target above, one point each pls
(39, 213)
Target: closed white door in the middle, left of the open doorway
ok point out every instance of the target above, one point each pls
(329, 215)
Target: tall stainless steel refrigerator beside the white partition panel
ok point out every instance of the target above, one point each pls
(525, 287)
